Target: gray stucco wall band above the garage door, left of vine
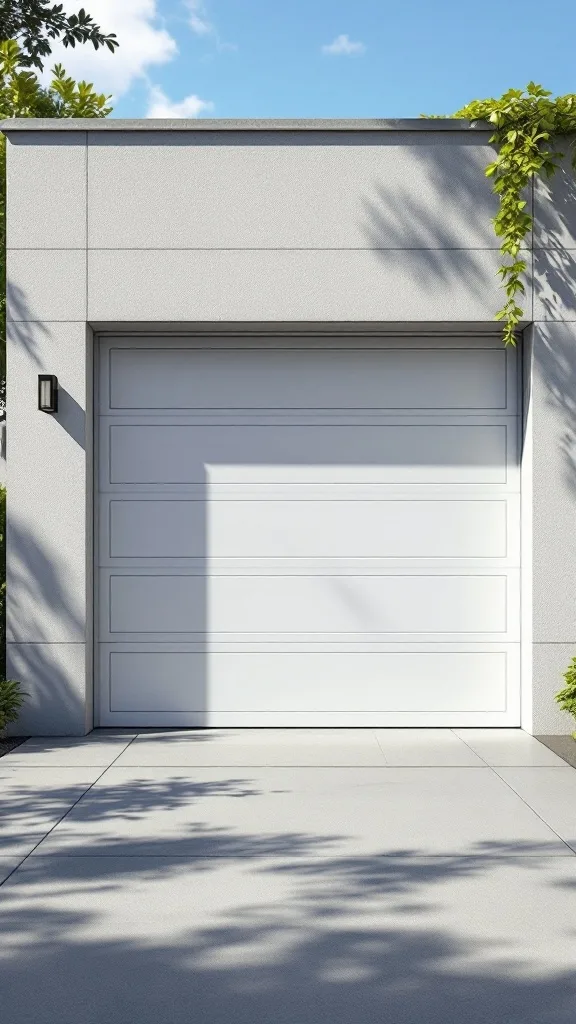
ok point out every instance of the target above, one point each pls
(235, 227)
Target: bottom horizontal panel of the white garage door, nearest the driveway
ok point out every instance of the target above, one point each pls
(392, 682)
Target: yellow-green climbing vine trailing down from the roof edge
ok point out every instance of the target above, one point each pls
(528, 124)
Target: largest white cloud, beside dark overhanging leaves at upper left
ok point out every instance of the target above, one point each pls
(144, 42)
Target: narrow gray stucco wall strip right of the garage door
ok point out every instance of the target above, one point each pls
(553, 344)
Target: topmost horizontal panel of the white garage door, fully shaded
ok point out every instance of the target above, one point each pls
(304, 378)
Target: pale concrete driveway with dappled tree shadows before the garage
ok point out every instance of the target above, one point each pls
(410, 877)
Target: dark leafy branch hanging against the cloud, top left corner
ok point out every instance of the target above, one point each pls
(36, 24)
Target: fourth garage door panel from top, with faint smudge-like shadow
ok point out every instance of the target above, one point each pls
(253, 608)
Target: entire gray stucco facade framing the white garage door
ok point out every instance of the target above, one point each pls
(369, 227)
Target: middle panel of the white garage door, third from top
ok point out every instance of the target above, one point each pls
(170, 529)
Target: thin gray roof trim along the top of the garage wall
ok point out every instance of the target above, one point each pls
(258, 124)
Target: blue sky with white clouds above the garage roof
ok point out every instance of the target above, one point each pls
(238, 59)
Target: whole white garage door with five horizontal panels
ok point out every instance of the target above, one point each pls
(309, 532)
